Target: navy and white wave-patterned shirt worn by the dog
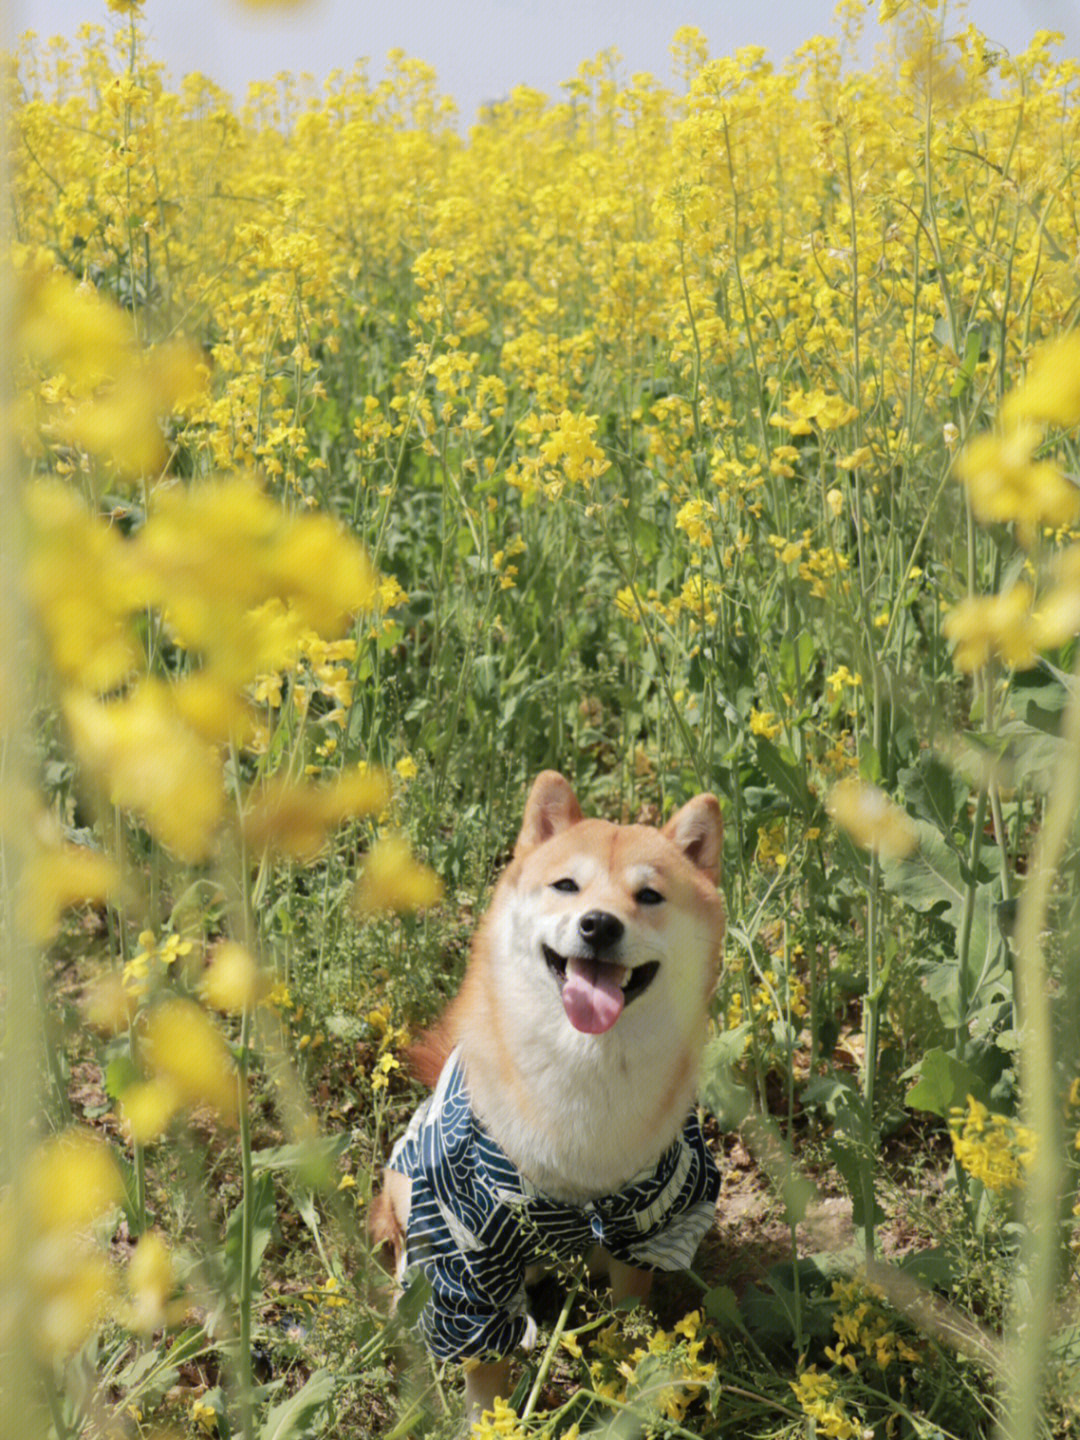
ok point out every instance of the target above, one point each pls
(476, 1223)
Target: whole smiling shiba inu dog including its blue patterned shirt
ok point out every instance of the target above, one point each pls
(565, 1072)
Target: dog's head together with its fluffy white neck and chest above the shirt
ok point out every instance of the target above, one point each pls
(584, 1009)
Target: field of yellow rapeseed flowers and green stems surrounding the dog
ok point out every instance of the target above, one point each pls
(709, 431)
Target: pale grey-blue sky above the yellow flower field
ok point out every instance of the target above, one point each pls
(483, 48)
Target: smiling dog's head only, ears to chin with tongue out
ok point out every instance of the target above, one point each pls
(611, 922)
